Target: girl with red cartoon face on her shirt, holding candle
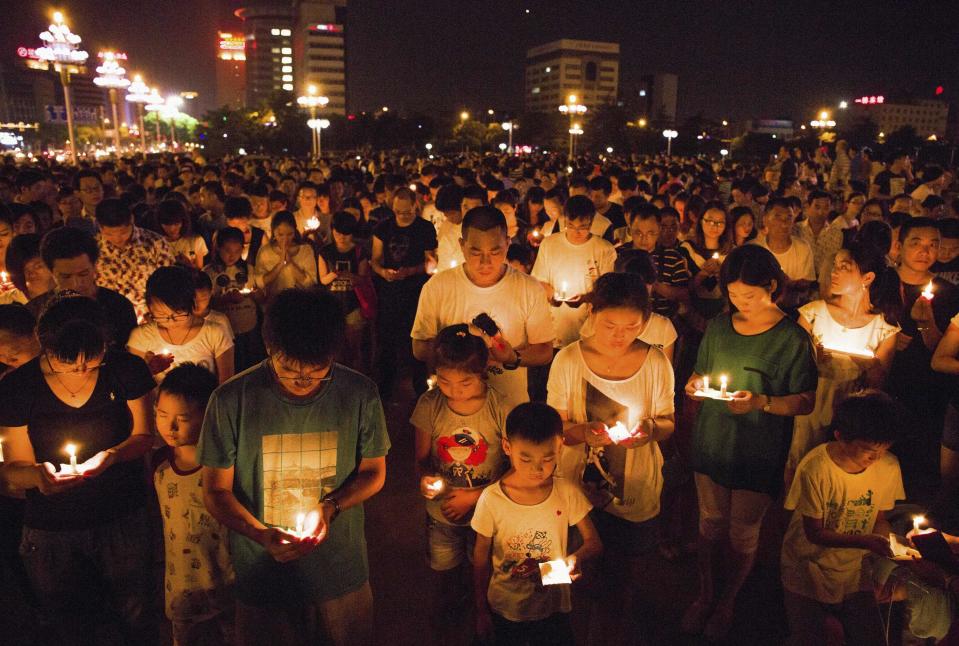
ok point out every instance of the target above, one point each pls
(459, 426)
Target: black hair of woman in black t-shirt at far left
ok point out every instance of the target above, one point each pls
(70, 326)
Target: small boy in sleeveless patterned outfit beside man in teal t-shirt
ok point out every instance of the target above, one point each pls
(198, 572)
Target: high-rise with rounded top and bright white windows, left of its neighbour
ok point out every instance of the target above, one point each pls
(268, 30)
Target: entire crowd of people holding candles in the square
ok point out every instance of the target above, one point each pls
(599, 348)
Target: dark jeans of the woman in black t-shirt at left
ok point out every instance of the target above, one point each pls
(91, 581)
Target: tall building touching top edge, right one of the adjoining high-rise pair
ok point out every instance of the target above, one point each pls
(319, 50)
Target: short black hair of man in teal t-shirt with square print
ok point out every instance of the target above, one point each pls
(305, 325)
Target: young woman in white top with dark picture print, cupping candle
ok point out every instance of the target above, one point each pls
(615, 394)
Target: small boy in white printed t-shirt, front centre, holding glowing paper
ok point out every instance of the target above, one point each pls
(521, 522)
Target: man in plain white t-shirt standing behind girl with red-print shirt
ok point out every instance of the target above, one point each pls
(484, 283)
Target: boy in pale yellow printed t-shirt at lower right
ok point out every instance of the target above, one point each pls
(840, 495)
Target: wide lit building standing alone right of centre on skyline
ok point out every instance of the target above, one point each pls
(588, 70)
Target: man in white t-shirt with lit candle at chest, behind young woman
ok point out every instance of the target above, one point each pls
(568, 264)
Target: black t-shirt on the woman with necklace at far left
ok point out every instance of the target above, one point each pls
(102, 422)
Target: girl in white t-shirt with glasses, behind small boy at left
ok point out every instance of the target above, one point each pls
(175, 335)
